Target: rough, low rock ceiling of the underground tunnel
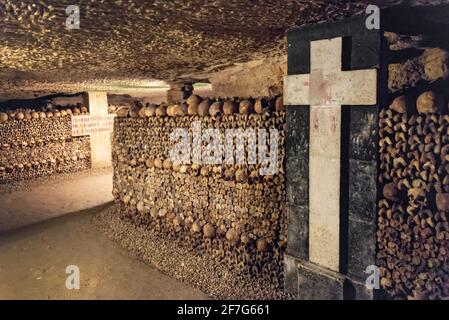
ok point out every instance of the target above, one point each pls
(126, 43)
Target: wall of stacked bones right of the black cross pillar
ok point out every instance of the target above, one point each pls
(413, 227)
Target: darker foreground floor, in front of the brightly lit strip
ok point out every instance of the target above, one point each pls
(33, 262)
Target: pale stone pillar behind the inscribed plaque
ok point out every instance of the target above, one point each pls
(100, 143)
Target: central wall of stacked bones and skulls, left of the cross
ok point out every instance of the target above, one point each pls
(230, 213)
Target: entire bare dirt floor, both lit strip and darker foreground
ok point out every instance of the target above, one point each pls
(34, 253)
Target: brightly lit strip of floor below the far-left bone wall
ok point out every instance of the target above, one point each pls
(27, 202)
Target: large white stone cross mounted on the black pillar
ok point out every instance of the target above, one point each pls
(326, 89)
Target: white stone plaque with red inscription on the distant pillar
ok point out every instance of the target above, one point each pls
(87, 125)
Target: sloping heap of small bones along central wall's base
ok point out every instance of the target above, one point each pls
(187, 265)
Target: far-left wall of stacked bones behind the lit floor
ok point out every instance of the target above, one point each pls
(36, 143)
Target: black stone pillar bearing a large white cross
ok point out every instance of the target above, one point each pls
(331, 96)
